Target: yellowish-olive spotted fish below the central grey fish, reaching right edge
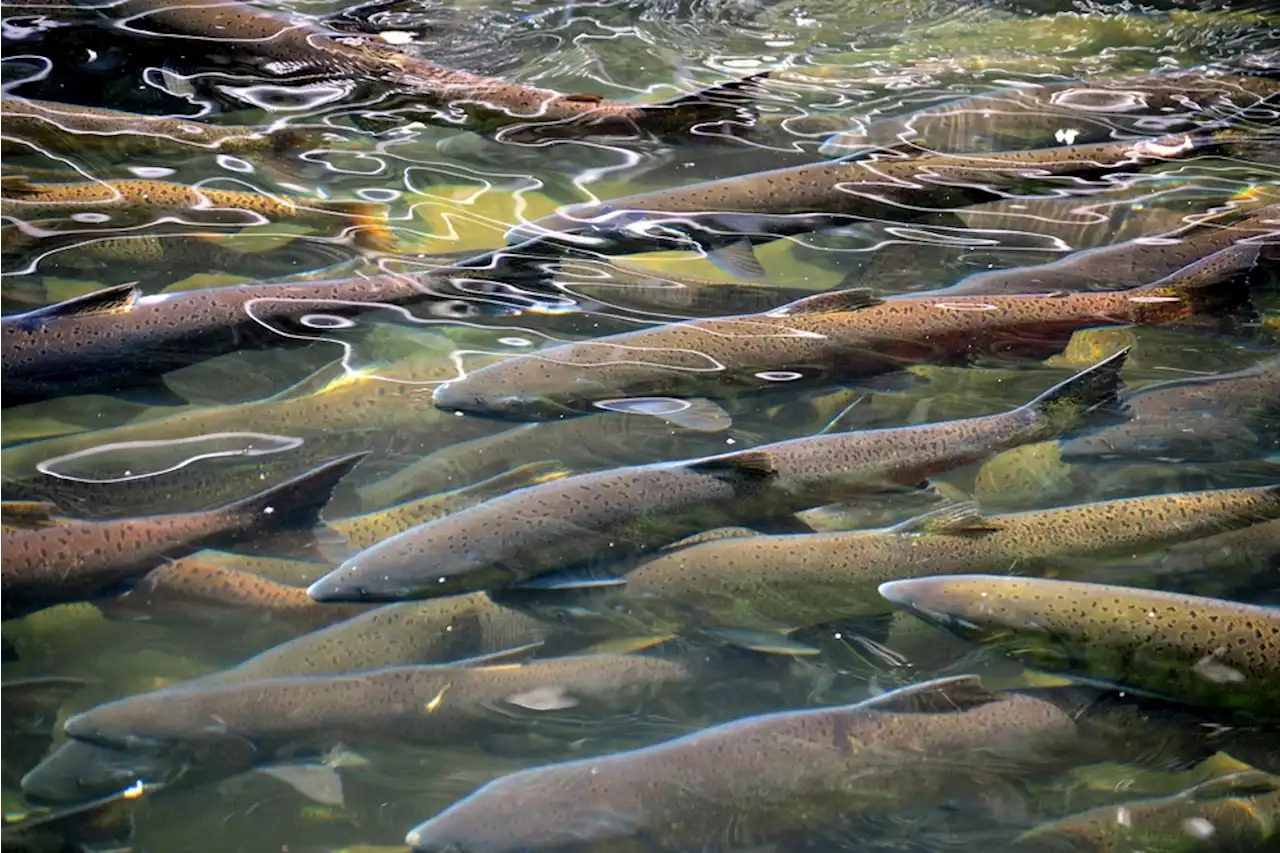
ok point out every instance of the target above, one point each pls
(781, 583)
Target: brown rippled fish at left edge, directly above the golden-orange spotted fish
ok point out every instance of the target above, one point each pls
(66, 129)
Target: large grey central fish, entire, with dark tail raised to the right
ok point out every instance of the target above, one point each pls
(609, 517)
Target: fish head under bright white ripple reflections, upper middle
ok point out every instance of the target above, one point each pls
(606, 230)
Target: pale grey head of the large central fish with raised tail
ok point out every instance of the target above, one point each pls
(381, 574)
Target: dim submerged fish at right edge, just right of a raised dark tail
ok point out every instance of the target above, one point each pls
(1205, 419)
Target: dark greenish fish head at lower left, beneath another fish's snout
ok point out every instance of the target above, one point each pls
(80, 772)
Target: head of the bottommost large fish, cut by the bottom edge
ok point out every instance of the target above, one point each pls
(547, 810)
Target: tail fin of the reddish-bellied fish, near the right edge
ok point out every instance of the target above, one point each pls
(1213, 286)
